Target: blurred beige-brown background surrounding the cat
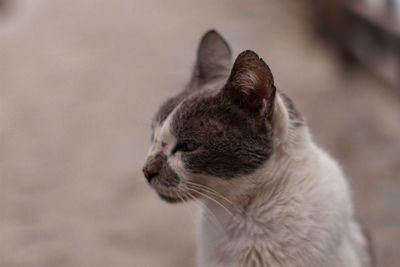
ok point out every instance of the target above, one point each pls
(81, 80)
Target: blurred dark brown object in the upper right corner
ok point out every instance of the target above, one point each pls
(365, 32)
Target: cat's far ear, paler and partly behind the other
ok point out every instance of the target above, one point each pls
(213, 57)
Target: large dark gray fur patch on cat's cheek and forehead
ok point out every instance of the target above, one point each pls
(232, 142)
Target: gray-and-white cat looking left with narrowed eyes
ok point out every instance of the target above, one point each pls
(270, 196)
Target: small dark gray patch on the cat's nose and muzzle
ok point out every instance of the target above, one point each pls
(158, 168)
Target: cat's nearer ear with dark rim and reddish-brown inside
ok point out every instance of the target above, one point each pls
(251, 84)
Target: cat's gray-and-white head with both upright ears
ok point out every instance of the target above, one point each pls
(219, 129)
